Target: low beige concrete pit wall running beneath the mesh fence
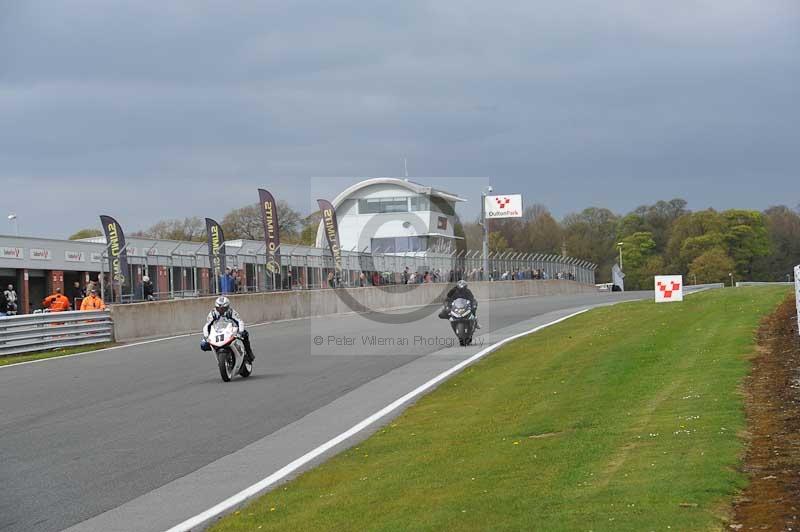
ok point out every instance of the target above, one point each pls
(164, 318)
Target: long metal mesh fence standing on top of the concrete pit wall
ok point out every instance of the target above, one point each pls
(306, 268)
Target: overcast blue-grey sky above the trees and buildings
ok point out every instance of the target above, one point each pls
(151, 110)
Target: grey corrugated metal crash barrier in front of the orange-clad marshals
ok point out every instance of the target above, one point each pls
(53, 330)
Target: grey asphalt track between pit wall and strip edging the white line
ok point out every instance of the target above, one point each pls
(83, 435)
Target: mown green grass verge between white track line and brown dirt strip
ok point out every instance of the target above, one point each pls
(623, 418)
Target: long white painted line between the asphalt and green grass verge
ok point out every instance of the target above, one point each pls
(288, 469)
